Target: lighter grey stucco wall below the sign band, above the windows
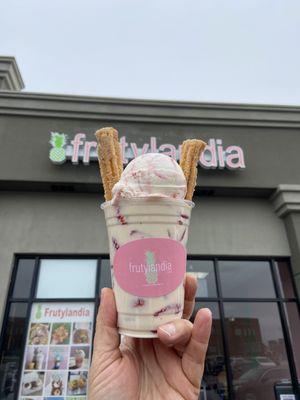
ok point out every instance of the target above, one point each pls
(52, 223)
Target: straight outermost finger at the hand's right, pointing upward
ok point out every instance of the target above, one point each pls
(194, 355)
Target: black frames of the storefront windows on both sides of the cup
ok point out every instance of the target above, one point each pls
(219, 299)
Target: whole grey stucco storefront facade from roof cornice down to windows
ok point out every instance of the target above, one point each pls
(42, 219)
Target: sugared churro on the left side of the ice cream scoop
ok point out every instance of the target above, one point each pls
(110, 159)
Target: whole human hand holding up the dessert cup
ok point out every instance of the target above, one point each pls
(169, 367)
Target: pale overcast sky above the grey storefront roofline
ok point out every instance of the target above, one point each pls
(213, 50)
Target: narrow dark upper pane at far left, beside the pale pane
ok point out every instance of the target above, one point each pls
(22, 285)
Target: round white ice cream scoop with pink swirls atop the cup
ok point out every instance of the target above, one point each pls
(151, 175)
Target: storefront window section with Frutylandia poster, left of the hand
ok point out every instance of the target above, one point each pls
(46, 344)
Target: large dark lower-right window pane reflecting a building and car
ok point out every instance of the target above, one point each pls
(257, 349)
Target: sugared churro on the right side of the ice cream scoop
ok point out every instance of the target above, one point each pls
(190, 153)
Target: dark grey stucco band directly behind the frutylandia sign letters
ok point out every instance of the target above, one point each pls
(270, 154)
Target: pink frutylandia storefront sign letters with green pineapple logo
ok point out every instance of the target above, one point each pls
(78, 150)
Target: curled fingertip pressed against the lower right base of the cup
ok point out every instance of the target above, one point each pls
(176, 333)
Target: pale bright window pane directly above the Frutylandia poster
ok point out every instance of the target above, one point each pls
(67, 279)
